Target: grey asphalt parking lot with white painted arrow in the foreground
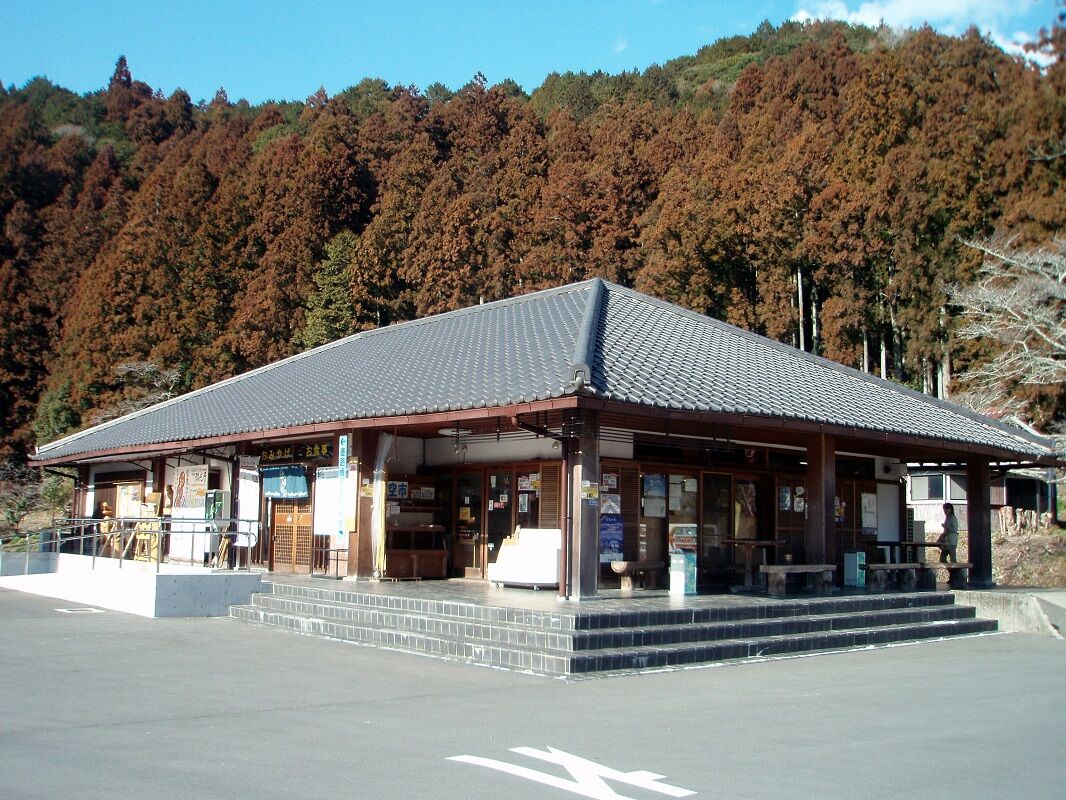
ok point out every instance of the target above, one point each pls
(109, 706)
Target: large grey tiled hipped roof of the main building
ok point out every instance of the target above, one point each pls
(638, 349)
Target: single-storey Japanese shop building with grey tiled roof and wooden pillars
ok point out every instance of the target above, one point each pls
(586, 392)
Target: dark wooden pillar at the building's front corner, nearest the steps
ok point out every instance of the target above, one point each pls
(585, 551)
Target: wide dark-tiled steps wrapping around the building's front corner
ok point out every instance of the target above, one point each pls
(534, 632)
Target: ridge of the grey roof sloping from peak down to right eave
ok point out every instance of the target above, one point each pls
(851, 373)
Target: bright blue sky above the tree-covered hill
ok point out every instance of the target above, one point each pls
(286, 51)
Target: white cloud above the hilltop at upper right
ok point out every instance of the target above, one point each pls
(948, 17)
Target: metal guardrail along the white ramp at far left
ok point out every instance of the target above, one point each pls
(150, 540)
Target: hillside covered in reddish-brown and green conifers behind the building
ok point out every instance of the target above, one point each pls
(814, 183)
